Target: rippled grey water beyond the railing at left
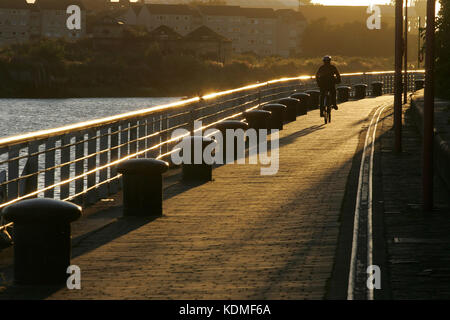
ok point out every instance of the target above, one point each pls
(26, 115)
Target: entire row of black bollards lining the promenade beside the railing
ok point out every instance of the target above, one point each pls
(42, 231)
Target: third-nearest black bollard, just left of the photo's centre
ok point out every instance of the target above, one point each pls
(194, 171)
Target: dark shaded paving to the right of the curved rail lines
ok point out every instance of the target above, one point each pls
(418, 243)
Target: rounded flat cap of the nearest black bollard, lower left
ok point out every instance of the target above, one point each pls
(42, 210)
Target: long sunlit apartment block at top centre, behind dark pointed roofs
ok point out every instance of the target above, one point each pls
(249, 29)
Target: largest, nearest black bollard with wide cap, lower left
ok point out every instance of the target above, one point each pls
(42, 240)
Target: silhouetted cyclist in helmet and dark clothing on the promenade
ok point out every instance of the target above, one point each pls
(327, 77)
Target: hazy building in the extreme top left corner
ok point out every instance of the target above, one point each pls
(14, 21)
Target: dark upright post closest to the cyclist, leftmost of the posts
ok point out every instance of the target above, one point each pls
(398, 75)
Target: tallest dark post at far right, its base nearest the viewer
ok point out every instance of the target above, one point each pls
(428, 114)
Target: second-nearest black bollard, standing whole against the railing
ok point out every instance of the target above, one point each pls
(142, 186)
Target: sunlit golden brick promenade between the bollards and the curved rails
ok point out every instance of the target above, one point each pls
(242, 236)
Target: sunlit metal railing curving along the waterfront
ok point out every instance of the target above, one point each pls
(78, 162)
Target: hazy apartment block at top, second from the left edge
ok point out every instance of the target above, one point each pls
(53, 19)
